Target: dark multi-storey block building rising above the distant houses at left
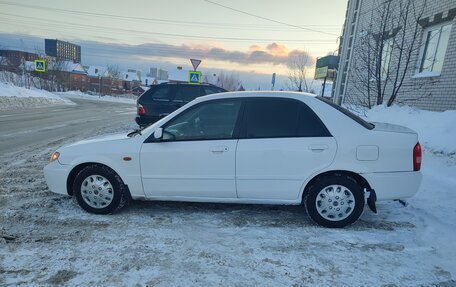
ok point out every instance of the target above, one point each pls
(62, 50)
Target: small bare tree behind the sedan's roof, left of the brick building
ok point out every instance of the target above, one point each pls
(298, 74)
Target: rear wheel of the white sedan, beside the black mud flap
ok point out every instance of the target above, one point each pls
(335, 201)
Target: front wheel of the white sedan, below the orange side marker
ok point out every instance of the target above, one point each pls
(98, 189)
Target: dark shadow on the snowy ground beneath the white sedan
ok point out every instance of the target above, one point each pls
(243, 215)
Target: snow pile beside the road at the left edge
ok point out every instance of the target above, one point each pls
(13, 97)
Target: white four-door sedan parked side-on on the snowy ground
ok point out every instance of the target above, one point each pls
(247, 147)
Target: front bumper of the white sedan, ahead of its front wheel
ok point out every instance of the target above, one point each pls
(56, 175)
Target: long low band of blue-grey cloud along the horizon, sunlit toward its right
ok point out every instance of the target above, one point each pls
(273, 53)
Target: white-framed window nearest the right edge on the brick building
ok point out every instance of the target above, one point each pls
(435, 42)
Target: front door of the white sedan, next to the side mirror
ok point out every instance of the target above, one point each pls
(196, 156)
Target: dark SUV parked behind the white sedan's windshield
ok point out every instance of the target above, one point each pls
(163, 99)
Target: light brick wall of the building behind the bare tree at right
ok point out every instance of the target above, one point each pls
(433, 93)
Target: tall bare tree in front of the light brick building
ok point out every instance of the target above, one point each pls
(383, 54)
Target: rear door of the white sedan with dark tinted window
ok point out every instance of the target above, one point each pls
(282, 142)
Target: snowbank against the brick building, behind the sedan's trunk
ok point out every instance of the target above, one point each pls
(436, 130)
